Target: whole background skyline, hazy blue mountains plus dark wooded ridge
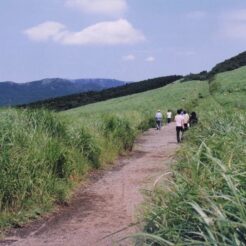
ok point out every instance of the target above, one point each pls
(62, 94)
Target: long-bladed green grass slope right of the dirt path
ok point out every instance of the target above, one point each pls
(206, 205)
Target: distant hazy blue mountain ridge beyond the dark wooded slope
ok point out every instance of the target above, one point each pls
(12, 93)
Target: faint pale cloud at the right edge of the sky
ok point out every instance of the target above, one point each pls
(233, 24)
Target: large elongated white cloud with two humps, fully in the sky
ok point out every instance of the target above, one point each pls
(102, 33)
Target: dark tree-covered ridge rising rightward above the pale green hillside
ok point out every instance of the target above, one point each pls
(80, 99)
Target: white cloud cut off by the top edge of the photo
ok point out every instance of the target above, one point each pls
(98, 6)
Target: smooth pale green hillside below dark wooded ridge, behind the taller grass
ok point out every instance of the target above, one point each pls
(138, 106)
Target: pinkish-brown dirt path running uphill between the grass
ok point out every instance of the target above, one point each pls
(100, 214)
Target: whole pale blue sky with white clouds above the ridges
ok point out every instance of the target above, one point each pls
(129, 40)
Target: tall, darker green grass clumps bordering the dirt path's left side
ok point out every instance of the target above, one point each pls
(42, 157)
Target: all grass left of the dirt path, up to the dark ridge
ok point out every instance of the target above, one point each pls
(43, 154)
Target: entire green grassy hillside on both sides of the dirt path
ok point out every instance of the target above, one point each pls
(44, 154)
